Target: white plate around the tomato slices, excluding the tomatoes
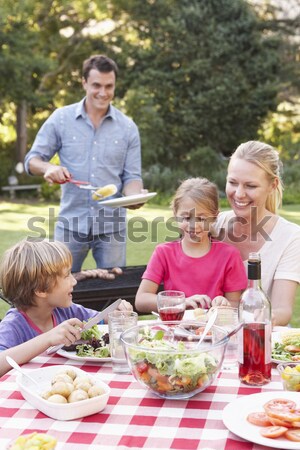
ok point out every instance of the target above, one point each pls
(235, 419)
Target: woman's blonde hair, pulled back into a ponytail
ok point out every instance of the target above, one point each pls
(267, 158)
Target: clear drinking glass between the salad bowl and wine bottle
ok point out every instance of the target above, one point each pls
(228, 319)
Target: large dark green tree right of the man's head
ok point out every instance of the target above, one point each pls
(203, 72)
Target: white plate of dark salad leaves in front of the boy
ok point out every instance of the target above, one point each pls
(87, 349)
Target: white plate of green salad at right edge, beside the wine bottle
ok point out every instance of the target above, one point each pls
(286, 345)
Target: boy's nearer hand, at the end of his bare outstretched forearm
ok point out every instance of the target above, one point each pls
(66, 333)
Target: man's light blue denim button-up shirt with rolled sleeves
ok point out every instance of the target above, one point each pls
(110, 154)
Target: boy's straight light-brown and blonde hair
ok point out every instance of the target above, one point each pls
(31, 266)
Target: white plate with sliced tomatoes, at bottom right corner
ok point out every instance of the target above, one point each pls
(269, 418)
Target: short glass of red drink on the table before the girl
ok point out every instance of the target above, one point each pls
(171, 305)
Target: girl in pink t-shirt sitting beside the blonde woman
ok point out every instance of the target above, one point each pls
(209, 272)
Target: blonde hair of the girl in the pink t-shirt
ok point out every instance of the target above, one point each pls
(202, 191)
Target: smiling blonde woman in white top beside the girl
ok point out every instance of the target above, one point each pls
(254, 191)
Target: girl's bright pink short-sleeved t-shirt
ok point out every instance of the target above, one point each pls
(220, 270)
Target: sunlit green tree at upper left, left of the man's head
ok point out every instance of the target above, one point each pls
(40, 42)
